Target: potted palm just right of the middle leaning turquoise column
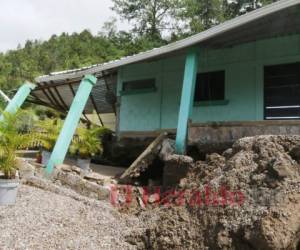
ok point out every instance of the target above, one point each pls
(87, 143)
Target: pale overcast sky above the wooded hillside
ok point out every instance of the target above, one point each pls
(22, 20)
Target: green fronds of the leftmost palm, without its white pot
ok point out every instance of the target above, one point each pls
(13, 138)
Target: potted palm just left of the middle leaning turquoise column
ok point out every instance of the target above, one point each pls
(48, 130)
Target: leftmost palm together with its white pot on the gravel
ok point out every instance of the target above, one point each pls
(12, 138)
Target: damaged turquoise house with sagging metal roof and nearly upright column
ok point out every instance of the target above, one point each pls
(237, 79)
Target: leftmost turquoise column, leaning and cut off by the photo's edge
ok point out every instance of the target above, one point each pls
(19, 98)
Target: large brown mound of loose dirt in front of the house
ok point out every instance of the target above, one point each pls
(246, 198)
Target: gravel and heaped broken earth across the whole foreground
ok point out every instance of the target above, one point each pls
(263, 173)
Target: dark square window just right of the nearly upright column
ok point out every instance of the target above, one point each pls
(210, 86)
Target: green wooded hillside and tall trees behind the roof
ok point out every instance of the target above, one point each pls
(154, 23)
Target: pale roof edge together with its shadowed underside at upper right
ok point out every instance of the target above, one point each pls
(279, 18)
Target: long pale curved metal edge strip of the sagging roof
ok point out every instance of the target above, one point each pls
(181, 44)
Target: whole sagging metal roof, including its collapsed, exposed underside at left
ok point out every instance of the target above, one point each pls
(280, 18)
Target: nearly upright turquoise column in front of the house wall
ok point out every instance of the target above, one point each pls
(187, 100)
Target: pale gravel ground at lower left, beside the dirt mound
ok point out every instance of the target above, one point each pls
(45, 220)
